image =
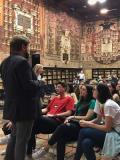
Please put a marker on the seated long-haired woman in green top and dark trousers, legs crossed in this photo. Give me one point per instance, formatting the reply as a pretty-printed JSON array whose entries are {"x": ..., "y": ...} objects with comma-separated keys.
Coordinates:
[{"x": 68, "y": 131}]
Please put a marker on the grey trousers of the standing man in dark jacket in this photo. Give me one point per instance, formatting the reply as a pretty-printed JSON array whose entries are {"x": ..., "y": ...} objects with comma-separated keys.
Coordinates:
[{"x": 17, "y": 145}]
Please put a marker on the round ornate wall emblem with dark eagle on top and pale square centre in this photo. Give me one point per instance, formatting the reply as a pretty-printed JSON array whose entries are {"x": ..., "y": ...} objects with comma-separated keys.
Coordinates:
[{"x": 106, "y": 43}]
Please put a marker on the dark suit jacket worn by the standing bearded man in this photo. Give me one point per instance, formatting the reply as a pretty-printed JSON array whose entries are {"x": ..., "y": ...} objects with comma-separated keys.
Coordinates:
[{"x": 21, "y": 87}]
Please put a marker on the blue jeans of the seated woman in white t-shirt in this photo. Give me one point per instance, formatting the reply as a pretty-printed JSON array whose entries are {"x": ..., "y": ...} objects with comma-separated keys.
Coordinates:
[{"x": 88, "y": 138}]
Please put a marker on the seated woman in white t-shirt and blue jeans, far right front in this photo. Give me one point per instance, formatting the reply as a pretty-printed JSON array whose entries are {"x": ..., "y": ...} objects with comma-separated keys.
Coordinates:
[{"x": 102, "y": 131}]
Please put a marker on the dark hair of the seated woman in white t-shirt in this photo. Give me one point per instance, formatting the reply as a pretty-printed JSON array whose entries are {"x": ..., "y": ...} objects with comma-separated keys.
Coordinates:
[{"x": 103, "y": 93}]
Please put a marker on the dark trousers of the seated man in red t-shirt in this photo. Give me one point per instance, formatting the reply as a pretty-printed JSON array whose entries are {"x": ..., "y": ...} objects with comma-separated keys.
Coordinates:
[{"x": 45, "y": 125}]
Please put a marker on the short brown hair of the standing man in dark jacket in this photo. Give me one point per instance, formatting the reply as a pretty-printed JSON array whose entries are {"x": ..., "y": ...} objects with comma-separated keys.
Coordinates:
[{"x": 17, "y": 42}]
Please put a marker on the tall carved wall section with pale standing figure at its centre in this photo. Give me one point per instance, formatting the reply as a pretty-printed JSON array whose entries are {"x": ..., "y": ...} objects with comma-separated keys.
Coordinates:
[{"x": 57, "y": 24}]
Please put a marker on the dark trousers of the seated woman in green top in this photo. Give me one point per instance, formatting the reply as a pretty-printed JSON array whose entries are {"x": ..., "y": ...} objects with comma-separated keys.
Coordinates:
[{"x": 63, "y": 134}]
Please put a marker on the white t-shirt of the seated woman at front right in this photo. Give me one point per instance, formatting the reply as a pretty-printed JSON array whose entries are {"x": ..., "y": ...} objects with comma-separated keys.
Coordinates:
[{"x": 110, "y": 108}]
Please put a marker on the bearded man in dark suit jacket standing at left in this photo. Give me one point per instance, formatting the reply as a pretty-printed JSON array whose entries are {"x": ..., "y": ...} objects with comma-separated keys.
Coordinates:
[{"x": 21, "y": 102}]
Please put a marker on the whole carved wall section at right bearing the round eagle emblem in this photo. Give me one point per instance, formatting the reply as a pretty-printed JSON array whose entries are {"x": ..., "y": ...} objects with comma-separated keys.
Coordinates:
[{"x": 102, "y": 41}]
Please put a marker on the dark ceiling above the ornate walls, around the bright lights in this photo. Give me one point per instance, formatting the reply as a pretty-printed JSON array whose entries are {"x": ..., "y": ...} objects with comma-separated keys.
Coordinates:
[{"x": 80, "y": 8}]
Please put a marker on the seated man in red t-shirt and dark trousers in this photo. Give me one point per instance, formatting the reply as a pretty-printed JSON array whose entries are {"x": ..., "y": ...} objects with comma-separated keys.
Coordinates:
[{"x": 60, "y": 107}]
